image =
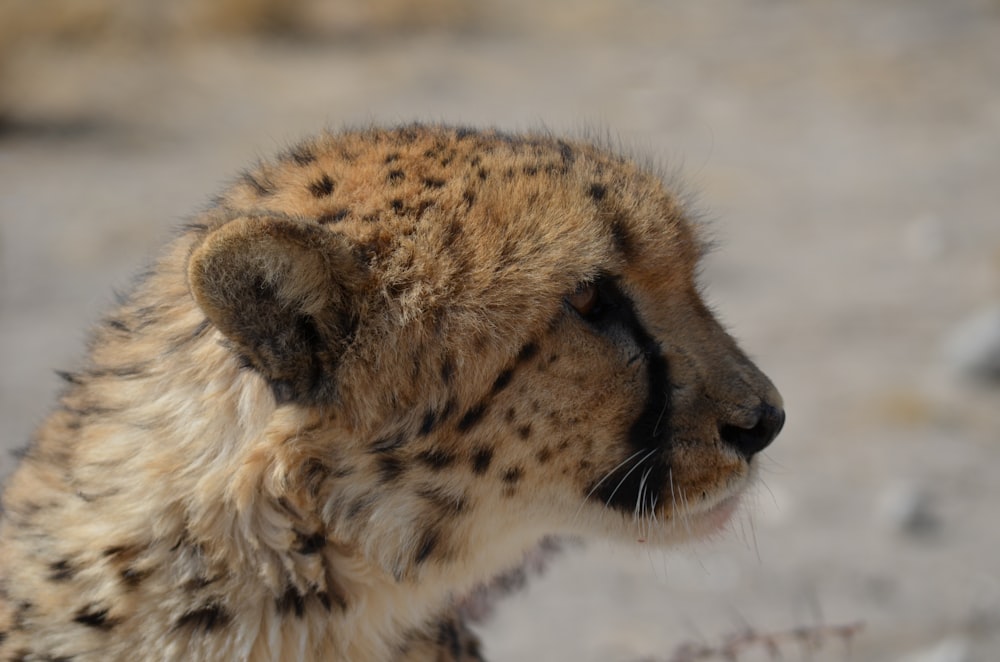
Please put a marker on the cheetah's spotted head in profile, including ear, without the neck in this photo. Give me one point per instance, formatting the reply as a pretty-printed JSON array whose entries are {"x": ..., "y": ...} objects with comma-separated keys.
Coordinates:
[{"x": 485, "y": 339}]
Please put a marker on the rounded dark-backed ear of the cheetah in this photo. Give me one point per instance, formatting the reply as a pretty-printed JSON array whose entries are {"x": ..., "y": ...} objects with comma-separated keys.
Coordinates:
[{"x": 285, "y": 293}]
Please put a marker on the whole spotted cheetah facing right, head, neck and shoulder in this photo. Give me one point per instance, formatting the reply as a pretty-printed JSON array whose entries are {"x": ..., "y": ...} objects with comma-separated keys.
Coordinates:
[{"x": 367, "y": 378}]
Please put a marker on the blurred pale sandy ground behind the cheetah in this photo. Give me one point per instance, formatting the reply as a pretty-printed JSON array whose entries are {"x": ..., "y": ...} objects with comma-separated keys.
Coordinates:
[{"x": 846, "y": 156}]
